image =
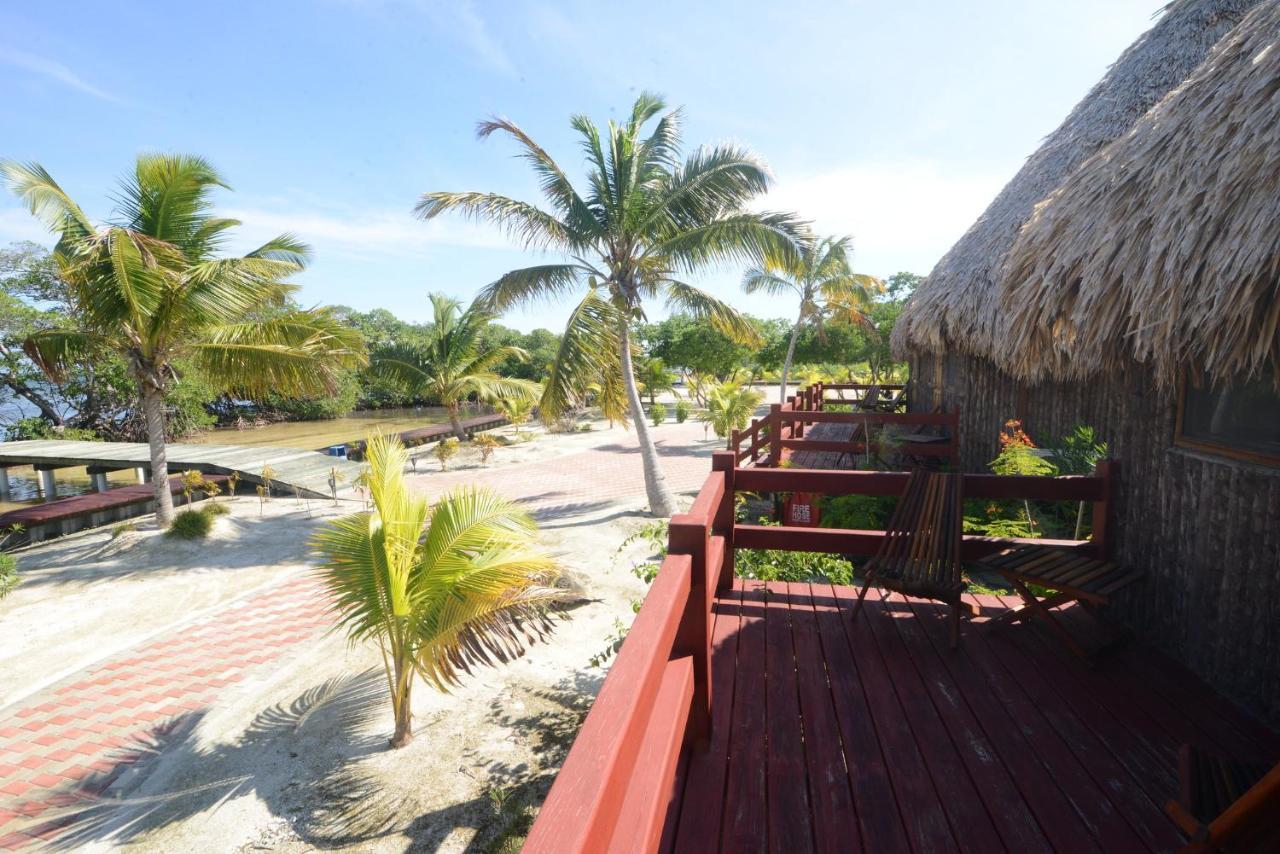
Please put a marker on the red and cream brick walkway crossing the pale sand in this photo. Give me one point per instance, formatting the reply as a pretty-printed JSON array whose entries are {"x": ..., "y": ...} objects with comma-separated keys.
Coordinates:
[{"x": 65, "y": 746}]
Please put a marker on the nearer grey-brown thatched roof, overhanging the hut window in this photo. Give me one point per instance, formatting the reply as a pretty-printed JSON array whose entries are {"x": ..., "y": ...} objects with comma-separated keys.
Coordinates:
[{"x": 1164, "y": 248}]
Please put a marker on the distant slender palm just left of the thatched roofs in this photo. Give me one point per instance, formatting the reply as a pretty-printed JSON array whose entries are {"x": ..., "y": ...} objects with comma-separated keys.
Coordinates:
[{"x": 821, "y": 277}]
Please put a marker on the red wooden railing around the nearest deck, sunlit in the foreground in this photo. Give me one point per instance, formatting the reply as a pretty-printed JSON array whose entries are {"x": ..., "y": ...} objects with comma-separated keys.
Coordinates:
[{"x": 620, "y": 778}]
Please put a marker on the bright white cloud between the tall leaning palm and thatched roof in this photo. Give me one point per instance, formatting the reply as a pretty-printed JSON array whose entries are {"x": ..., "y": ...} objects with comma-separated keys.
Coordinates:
[{"x": 903, "y": 214}]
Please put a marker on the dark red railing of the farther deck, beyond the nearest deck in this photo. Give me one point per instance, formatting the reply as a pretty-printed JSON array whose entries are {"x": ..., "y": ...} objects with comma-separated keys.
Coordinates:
[{"x": 766, "y": 441}]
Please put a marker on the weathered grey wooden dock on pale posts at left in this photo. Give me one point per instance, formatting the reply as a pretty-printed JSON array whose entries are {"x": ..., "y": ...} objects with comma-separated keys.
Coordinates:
[{"x": 308, "y": 472}]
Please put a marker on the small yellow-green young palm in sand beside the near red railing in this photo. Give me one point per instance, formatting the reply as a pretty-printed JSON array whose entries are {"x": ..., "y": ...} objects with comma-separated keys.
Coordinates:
[{"x": 467, "y": 592}]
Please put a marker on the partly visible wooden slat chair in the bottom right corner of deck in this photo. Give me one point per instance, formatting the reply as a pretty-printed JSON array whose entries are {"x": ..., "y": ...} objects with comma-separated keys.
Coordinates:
[{"x": 1227, "y": 805}]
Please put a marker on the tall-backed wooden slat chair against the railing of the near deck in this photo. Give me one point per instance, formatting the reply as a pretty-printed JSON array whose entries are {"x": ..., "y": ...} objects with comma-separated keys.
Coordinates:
[{"x": 921, "y": 552}]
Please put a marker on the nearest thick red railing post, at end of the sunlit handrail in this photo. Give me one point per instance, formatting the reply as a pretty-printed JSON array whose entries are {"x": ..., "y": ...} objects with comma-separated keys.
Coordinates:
[{"x": 688, "y": 536}]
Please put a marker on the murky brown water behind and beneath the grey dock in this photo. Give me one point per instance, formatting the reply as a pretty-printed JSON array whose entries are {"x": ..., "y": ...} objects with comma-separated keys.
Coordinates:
[{"x": 312, "y": 436}]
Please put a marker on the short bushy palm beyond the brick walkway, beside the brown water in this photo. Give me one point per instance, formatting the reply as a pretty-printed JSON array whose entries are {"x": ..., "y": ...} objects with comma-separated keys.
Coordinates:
[{"x": 450, "y": 367}]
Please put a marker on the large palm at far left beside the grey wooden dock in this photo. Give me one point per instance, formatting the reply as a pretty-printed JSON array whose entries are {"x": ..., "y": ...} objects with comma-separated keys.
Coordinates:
[{"x": 153, "y": 287}]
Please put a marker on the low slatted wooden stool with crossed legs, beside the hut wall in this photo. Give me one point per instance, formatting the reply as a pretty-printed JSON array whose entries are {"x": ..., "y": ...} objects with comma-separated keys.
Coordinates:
[{"x": 1072, "y": 576}]
